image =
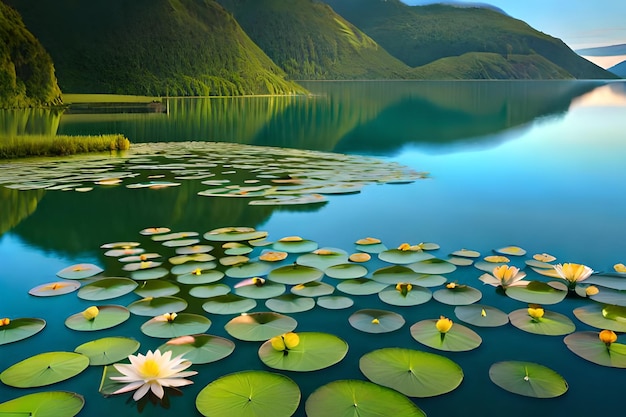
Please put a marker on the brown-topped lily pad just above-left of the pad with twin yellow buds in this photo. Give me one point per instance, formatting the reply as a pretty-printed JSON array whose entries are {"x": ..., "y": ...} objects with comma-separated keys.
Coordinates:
[{"x": 259, "y": 326}]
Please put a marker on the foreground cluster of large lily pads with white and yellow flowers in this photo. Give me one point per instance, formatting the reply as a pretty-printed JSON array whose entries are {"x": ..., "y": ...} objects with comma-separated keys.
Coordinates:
[{"x": 239, "y": 272}]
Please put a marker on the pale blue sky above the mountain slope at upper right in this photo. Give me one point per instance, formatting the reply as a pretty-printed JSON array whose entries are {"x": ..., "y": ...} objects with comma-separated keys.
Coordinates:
[{"x": 579, "y": 23}]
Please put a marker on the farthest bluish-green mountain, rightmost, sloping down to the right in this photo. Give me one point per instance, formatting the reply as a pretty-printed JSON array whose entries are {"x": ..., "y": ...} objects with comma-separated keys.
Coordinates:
[{"x": 420, "y": 35}]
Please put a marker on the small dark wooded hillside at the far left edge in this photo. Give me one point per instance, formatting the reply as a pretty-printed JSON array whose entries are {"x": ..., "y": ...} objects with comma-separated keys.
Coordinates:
[{"x": 26, "y": 71}]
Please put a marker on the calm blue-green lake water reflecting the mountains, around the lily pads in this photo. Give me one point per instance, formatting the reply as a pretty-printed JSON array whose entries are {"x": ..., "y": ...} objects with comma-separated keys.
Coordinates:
[{"x": 535, "y": 165}]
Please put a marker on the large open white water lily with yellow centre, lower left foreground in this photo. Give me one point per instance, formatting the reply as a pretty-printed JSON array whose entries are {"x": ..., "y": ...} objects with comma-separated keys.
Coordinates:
[{"x": 152, "y": 372}]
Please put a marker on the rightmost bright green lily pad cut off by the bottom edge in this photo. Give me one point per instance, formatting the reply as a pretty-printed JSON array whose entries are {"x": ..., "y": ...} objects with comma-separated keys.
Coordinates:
[{"x": 348, "y": 398}]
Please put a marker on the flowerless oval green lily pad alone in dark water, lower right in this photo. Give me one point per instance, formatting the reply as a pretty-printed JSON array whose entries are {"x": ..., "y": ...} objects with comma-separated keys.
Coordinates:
[{"x": 527, "y": 379}]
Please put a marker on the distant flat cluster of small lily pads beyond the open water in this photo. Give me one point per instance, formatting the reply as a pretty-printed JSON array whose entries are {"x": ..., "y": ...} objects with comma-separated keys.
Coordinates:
[{"x": 265, "y": 175}]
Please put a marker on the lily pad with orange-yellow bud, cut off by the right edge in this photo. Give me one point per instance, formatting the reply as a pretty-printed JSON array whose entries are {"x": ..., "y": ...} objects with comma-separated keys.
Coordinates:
[{"x": 588, "y": 346}]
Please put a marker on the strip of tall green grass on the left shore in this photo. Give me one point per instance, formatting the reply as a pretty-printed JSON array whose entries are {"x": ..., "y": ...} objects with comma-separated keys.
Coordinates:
[{"x": 43, "y": 145}]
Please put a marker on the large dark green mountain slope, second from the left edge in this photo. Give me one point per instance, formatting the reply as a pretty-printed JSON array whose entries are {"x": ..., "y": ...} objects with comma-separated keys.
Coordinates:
[{"x": 151, "y": 47}]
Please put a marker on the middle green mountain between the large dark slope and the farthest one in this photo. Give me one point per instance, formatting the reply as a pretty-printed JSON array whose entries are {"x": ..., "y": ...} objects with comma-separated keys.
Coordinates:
[{"x": 310, "y": 41}]
